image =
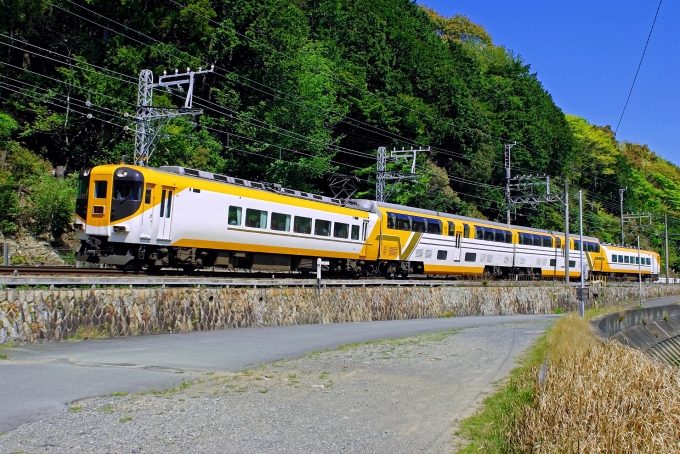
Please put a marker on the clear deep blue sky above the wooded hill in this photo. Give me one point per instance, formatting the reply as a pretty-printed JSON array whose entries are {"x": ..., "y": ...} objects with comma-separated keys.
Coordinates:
[{"x": 586, "y": 53}]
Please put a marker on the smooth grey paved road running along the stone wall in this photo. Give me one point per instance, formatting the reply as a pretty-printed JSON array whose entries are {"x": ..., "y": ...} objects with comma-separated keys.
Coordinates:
[{"x": 38, "y": 380}]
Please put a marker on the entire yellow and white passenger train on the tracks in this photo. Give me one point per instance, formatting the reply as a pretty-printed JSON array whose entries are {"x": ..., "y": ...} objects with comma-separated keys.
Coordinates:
[{"x": 150, "y": 218}]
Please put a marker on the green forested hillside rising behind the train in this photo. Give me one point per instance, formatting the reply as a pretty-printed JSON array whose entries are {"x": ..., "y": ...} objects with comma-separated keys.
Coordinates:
[{"x": 302, "y": 90}]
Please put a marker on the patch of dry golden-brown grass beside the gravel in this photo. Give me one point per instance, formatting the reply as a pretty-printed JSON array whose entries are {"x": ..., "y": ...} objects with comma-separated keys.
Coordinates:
[{"x": 598, "y": 398}]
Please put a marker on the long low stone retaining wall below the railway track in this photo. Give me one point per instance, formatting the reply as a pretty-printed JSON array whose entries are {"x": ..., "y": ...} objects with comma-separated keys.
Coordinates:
[{"x": 55, "y": 315}]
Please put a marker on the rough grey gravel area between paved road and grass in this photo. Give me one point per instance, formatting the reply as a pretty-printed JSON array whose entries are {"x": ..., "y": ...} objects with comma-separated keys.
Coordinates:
[{"x": 396, "y": 395}]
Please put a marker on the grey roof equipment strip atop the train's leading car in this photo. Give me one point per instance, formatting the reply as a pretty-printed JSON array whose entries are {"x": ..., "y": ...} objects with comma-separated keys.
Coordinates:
[{"x": 270, "y": 187}]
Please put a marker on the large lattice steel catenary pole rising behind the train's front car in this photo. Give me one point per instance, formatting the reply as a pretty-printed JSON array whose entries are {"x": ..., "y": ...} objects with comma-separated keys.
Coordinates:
[{"x": 151, "y": 119}]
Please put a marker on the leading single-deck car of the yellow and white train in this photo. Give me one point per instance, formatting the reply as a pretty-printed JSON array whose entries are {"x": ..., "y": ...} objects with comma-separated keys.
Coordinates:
[{"x": 143, "y": 217}]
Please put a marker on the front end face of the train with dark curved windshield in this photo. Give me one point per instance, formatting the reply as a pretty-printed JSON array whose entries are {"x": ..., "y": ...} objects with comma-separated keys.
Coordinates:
[{"x": 109, "y": 214}]
